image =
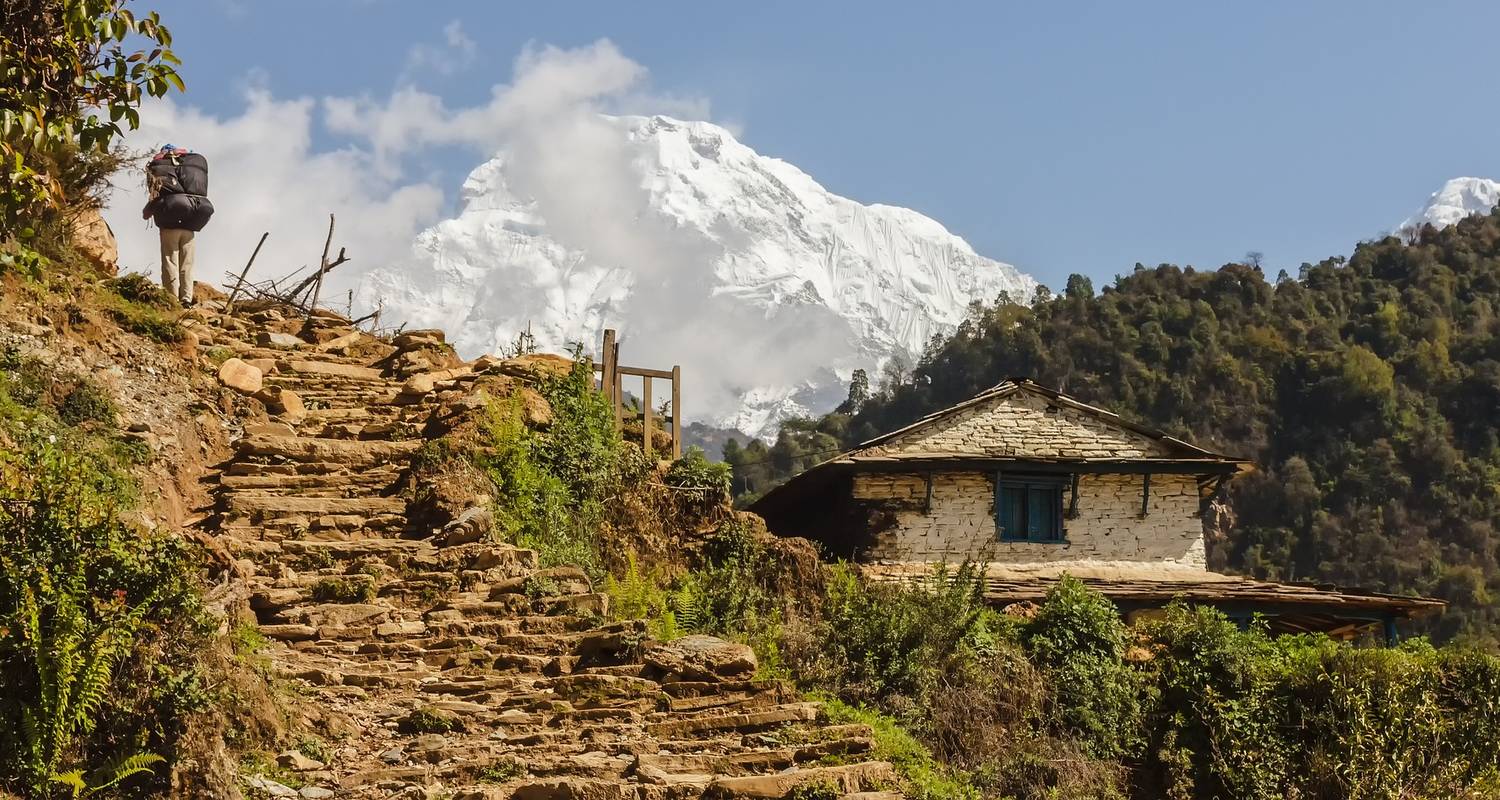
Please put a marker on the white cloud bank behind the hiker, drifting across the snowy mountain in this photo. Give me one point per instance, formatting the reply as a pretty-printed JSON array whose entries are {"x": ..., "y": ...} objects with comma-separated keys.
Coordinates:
[{"x": 284, "y": 164}]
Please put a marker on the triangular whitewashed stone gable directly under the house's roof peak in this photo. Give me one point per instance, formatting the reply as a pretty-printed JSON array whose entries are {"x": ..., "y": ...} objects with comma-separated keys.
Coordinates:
[{"x": 1025, "y": 426}]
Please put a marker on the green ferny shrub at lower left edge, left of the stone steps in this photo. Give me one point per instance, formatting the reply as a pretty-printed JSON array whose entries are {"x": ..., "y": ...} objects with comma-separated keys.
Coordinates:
[{"x": 100, "y": 625}]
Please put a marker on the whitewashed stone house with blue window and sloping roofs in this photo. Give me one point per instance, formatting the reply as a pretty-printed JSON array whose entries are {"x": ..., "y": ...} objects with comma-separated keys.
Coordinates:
[{"x": 1034, "y": 484}]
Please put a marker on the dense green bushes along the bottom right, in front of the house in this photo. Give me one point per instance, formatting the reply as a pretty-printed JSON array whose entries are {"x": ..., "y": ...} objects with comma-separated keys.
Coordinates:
[{"x": 1214, "y": 712}]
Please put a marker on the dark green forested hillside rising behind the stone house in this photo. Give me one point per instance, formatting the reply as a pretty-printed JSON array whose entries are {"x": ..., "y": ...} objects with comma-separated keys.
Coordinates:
[{"x": 1366, "y": 389}]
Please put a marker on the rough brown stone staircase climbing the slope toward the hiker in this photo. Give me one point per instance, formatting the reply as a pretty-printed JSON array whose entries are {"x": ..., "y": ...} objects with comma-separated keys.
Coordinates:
[{"x": 467, "y": 672}]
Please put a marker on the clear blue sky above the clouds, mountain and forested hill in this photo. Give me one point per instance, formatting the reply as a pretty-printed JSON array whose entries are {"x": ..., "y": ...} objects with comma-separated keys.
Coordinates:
[{"x": 1061, "y": 137}]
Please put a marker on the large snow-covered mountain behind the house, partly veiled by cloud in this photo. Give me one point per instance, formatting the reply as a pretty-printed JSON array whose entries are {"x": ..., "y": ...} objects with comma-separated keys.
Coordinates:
[{"x": 767, "y": 289}]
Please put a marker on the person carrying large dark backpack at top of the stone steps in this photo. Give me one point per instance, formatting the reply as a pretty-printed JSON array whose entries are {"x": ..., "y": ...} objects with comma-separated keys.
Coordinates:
[{"x": 178, "y": 181}]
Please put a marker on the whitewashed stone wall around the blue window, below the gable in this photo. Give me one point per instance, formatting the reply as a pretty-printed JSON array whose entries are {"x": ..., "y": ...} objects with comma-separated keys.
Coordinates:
[{"x": 1109, "y": 528}]
